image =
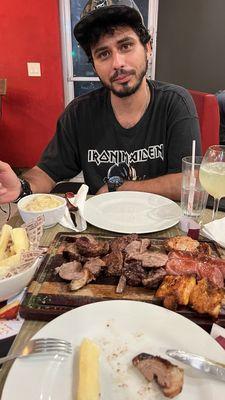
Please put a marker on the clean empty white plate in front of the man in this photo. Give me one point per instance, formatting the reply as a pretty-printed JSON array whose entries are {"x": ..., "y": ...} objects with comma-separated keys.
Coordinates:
[{"x": 131, "y": 212}]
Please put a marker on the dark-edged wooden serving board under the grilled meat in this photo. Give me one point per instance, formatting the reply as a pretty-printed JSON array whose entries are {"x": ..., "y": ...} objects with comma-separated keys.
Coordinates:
[{"x": 49, "y": 296}]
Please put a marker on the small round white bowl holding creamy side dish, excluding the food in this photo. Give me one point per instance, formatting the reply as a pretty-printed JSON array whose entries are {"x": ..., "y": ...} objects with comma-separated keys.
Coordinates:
[{"x": 52, "y": 215}]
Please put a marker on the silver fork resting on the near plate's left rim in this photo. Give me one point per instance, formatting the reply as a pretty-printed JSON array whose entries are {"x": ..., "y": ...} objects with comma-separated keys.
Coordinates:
[{"x": 43, "y": 346}]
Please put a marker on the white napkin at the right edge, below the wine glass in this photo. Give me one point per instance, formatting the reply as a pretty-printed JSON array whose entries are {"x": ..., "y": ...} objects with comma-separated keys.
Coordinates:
[{"x": 215, "y": 230}]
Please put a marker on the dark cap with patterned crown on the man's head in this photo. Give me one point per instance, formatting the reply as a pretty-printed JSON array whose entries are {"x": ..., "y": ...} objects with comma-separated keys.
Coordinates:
[{"x": 97, "y": 9}]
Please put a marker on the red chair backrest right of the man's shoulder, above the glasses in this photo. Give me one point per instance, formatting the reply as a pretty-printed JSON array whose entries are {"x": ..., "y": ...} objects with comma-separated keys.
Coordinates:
[{"x": 209, "y": 118}]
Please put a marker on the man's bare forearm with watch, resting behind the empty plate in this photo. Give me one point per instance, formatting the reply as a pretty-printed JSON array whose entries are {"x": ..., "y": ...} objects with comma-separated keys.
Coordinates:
[{"x": 166, "y": 185}]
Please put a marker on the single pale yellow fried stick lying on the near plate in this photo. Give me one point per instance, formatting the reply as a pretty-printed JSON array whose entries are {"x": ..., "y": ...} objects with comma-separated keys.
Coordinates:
[{"x": 89, "y": 381}]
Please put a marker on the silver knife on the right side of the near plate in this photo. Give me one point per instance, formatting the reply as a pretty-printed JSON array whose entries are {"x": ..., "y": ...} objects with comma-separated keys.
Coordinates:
[{"x": 201, "y": 363}]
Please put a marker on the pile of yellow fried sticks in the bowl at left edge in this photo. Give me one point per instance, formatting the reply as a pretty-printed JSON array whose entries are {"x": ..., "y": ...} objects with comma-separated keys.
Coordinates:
[{"x": 12, "y": 243}]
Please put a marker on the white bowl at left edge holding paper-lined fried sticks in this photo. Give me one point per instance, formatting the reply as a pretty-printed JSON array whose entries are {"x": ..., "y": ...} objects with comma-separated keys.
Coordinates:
[{"x": 11, "y": 286}]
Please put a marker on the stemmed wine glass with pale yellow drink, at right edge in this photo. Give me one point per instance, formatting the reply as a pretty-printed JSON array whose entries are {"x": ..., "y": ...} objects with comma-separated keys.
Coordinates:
[{"x": 212, "y": 174}]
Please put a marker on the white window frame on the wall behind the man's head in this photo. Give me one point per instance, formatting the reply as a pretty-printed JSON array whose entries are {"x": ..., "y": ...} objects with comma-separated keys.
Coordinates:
[{"x": 66, "y": 44}]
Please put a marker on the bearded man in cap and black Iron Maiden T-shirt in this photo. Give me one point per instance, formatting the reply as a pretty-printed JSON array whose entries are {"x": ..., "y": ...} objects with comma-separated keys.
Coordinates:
[{"x": 129, "y": 135}]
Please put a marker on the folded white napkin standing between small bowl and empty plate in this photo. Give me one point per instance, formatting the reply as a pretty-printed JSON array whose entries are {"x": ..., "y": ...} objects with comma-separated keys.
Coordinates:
[{"x": 78, "y": 200}]
